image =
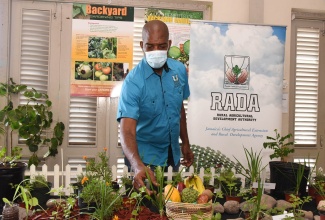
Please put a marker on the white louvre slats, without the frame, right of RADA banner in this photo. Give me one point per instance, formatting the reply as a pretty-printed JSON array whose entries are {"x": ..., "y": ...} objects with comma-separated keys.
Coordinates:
[{"x": 306, "y": 86}]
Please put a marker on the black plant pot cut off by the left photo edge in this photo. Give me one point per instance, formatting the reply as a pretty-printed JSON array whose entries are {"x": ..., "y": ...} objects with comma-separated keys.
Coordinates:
[{"x": 10, "y": 175}]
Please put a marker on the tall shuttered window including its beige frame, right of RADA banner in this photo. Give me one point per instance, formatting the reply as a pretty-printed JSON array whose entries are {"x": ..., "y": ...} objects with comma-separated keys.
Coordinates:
[{"x": 307, "y": 111}]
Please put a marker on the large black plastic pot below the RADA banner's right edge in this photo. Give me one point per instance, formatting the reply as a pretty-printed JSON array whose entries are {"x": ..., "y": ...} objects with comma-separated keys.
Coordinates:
[{"x": 283, "y": 174}]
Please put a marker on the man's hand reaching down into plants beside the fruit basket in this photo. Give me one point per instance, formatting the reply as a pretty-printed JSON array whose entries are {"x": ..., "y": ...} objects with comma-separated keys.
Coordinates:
[{"x": 140, "y": 174}]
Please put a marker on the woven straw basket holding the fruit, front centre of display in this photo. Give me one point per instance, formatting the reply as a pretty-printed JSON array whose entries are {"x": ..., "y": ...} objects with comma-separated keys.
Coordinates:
[{"x": 183, "y": 211}]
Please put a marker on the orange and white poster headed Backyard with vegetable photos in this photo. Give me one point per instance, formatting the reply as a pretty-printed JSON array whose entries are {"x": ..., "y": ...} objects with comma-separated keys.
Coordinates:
[{"x": 102, "y": 48}]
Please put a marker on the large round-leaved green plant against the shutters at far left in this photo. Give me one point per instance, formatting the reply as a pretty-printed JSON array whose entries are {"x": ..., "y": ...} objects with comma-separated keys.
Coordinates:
[{"x": 32, "y": 120}]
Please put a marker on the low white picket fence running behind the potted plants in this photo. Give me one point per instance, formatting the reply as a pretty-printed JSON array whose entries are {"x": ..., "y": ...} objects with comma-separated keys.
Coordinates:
[{"x": 68, "y": 176}]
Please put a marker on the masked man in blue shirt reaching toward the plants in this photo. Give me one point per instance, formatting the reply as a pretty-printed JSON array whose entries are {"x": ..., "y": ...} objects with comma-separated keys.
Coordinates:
[{"x": 151, "y": 111}]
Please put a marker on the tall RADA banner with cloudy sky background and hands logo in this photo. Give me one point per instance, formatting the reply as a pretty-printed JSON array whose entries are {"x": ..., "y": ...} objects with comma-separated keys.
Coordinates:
[{"x": 235, "y": 77}]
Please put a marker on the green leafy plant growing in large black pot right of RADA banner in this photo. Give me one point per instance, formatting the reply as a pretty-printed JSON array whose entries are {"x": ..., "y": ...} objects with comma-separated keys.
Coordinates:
[{"x": 280, "y": 145}]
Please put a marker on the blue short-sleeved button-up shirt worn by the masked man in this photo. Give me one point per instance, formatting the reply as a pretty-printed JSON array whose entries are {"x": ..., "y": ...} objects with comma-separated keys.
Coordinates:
[{"x": 155, "y": 102}]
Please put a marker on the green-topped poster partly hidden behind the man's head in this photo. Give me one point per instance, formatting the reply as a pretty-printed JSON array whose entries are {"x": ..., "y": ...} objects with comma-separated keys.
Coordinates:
[{"x": 178, "y": 22}]
